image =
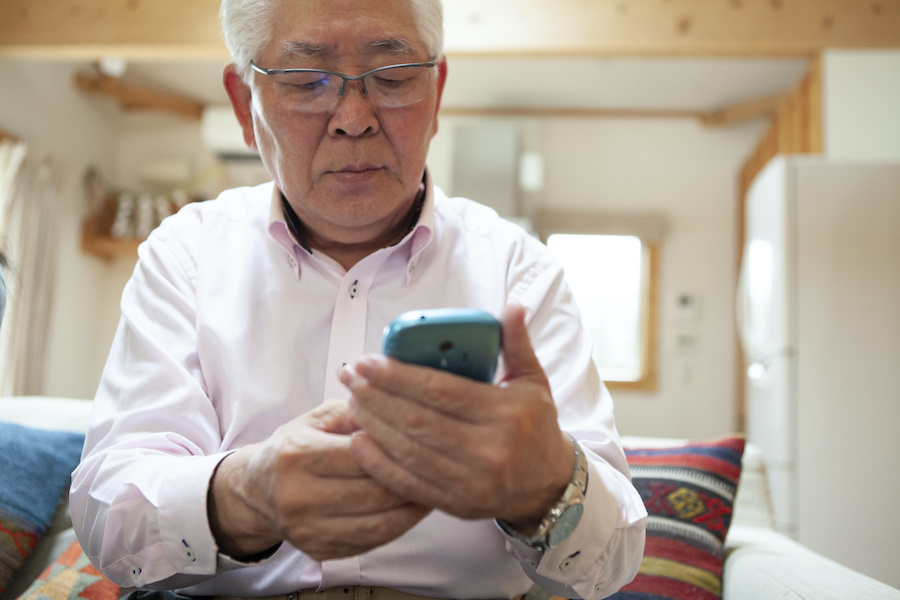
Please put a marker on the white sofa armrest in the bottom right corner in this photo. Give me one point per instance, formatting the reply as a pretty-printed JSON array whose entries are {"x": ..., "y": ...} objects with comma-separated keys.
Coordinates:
[{"x": 762, "y": 563}]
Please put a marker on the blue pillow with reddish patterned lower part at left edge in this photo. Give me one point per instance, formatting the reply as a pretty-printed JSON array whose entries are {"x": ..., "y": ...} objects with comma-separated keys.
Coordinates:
[{"x": 35, "y": 470}]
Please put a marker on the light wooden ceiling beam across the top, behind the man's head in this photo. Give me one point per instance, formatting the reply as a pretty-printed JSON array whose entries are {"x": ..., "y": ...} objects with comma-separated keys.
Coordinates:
[{"x": 180, "y": 29}]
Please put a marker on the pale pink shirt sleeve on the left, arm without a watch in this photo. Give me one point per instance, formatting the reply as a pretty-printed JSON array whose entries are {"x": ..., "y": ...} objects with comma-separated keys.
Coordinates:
[{"x": 138, "y": 497}]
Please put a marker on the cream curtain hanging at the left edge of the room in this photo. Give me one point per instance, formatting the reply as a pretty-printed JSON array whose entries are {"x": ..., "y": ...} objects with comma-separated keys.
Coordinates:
[{"x": 29, "y": 235}]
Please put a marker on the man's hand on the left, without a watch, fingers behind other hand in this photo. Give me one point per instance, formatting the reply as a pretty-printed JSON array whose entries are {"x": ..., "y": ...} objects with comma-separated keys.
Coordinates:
[{"x": 303, "y": 485}]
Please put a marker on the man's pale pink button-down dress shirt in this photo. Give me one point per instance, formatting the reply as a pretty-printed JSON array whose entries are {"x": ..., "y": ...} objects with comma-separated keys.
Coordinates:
[{"x": 229, "y": 329}]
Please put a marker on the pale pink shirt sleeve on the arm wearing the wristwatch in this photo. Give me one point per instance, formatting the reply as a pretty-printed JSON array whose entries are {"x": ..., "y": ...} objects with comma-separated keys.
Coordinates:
[{"x": 604, "y": 551}]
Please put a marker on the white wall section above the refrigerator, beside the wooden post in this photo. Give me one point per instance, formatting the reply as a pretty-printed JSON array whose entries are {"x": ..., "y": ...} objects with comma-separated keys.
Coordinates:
[{"x": 861, "y": 104}]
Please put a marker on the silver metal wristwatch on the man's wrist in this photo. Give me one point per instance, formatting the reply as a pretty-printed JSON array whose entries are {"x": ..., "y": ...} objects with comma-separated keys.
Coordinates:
[{"x": 561, "y": 519}]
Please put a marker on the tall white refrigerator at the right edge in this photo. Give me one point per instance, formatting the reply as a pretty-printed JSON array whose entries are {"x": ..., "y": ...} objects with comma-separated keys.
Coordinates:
[{"x": 819, "y": 312}]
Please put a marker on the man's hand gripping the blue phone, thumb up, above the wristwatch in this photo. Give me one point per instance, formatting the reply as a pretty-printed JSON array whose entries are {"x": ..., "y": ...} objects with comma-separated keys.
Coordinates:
[{"x": 471, "y": 449}]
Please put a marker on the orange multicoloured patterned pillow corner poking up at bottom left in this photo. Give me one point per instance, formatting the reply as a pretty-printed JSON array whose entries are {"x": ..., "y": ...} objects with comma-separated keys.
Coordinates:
[{"x": 71, "y": 577}]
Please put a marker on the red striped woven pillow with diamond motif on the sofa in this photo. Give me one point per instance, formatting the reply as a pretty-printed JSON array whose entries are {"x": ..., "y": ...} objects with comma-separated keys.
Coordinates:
[{"x": 689, "y": 493}]
